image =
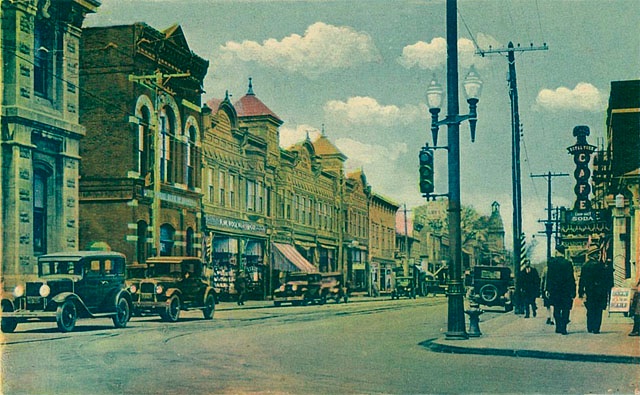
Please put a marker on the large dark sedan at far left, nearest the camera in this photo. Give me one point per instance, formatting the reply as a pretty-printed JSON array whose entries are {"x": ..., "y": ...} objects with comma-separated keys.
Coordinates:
[{"x": 71, "y": 285}]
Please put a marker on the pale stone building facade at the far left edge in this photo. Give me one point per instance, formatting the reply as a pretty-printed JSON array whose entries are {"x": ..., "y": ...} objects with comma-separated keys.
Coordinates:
[{"x": 40, "y": 154}]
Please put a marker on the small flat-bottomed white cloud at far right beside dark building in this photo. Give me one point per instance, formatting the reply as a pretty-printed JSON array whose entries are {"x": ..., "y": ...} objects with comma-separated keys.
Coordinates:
[{"x": 584, "y": 97}]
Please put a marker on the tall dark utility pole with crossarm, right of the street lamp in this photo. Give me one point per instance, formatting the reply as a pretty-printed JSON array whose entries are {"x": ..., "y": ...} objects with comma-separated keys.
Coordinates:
[{"x": 515, "y": 142}]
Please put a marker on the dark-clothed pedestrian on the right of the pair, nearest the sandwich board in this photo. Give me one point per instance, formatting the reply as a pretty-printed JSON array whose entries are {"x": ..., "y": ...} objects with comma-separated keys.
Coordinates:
[{"x": 596, "y": 280}]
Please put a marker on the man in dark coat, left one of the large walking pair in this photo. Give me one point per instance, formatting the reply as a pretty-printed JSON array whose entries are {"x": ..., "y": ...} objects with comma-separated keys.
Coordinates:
[{"x": 561, "y": 290}]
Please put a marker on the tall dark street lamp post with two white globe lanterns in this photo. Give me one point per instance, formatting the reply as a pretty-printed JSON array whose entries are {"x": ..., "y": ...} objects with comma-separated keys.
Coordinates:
[{"x": 456, "y": 328}]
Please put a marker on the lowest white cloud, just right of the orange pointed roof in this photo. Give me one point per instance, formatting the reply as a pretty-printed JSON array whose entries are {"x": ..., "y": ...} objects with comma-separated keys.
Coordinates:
[{"x": 361, "y": 154}]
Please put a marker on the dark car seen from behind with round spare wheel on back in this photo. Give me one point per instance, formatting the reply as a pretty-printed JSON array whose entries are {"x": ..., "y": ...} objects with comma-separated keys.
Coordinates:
[{"x": 491, "y": 286}]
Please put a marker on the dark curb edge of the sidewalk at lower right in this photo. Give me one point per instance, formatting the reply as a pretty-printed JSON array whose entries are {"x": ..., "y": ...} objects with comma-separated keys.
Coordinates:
[{"x": 436, "y": 346}]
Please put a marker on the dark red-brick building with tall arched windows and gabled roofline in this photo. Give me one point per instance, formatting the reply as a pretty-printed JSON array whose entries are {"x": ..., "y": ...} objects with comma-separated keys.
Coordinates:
[{"x": 140, "y": 188}]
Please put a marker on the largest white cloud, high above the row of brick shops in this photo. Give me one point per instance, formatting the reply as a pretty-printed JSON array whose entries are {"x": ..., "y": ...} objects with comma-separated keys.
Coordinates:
[{"x": 322, "y": 49}]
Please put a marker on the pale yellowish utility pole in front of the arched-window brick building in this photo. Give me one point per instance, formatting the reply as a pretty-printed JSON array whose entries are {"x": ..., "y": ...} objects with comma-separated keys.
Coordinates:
[{"x": 156, "y": 82}]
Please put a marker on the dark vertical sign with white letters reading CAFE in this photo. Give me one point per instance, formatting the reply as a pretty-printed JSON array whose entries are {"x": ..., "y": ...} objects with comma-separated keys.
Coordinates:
[{"x": 581, "y": 152}]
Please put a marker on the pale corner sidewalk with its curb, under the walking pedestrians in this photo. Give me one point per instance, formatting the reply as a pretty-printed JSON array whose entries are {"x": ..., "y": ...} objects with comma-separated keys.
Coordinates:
[{"x": 509, "y": 334}]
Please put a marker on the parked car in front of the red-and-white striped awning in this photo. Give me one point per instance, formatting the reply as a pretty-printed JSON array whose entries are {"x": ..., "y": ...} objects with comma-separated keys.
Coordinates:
[{"x": 299, "y": 288}]
